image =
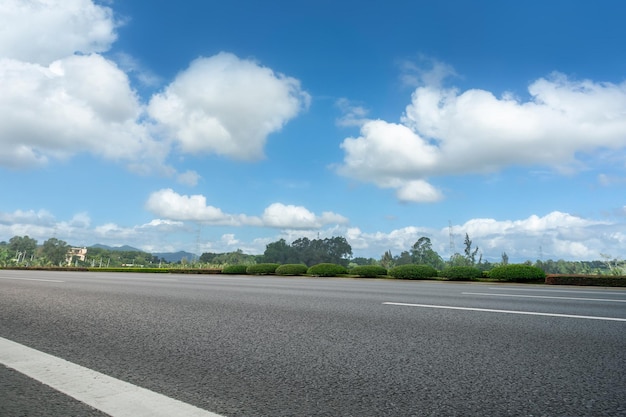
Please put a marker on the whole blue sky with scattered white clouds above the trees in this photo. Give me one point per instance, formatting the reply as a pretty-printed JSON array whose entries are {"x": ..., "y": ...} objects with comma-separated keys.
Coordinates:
[{"x": 213, "y": 126}]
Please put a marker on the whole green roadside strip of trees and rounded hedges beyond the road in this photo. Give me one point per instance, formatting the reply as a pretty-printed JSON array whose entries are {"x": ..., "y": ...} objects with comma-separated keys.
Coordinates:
[{"x": 319, "y": 257}]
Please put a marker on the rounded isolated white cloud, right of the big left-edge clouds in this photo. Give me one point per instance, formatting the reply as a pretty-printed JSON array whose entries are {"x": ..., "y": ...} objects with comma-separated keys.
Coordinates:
[{"x": 227, "y": 105}]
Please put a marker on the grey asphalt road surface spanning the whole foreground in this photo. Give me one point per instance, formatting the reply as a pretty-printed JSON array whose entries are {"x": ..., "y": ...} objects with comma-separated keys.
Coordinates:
[{"x": 271, "y": 346}]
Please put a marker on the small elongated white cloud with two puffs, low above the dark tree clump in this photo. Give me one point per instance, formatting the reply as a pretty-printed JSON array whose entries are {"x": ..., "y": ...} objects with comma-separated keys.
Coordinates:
[{"x": 168, "y": 204}]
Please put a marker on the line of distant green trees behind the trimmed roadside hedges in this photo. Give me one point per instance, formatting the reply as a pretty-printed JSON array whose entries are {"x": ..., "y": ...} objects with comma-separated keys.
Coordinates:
[{"x": 25, "y": 251}]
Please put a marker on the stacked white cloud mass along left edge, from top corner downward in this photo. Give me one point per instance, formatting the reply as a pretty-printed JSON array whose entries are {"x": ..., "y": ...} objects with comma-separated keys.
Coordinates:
[{"x": 56, "y": 103}]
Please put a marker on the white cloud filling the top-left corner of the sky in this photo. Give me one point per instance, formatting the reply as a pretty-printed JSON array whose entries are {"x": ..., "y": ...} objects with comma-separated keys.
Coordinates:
[{"x": 43, "y": 31}]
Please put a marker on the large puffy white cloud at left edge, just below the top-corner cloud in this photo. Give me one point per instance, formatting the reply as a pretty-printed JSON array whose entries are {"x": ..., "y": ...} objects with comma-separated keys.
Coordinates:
[{"x": 79, "y": 103}]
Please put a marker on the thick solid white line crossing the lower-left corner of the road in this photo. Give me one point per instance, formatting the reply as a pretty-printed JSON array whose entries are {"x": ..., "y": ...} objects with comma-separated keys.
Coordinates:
[{"x": 109, "y": 395}]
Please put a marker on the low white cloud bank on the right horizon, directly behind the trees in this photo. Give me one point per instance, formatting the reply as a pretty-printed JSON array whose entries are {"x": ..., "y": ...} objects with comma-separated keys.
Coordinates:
[{"x": 555, "y": 235}]
